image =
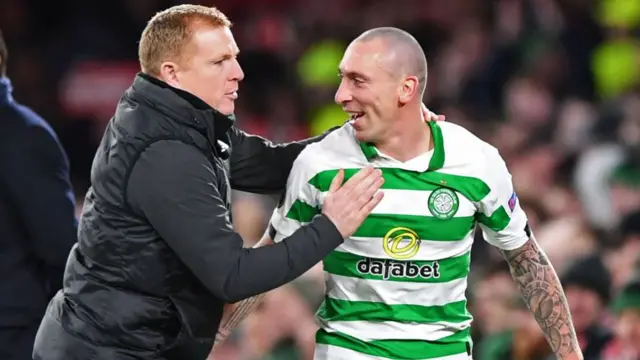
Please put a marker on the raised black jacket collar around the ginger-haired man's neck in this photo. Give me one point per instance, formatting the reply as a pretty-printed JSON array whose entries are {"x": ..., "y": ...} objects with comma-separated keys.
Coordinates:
[{"x": 182, "y": 106}]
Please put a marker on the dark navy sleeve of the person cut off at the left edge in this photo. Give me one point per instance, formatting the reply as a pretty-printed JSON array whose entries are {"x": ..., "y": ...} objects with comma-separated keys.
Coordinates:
[{"x": 35, "y": 173}]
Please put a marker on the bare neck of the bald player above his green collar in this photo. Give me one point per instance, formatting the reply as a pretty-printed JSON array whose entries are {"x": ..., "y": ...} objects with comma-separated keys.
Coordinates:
[{"x": 408, "y": 138}]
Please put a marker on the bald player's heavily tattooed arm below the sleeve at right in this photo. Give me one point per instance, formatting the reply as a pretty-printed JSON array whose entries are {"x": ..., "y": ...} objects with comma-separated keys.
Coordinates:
[{"x": 542, "y": 292}]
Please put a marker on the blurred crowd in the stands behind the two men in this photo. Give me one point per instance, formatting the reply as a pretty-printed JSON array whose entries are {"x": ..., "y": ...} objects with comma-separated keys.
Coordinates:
[{"x": 554, "y": 84}]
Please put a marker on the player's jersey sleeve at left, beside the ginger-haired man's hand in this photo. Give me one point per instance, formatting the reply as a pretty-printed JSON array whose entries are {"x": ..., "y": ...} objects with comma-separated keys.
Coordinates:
[{"x": 299, "y": 204}]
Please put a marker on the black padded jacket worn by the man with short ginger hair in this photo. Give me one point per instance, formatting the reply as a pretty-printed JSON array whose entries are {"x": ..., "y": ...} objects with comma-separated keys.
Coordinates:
[{"x": 157, "y": 256}]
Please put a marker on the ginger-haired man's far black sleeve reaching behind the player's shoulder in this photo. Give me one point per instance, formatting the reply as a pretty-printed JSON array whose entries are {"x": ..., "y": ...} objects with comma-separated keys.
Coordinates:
[{"x": 259, "y": 166}]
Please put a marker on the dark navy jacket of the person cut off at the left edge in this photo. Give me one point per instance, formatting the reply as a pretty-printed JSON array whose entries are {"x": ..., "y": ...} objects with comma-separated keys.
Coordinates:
[{"x": 37, "y": 213}]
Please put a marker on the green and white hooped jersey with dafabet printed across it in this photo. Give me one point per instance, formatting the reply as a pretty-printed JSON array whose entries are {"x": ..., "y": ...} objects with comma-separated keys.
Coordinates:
[{"x": 396, "y": 288}]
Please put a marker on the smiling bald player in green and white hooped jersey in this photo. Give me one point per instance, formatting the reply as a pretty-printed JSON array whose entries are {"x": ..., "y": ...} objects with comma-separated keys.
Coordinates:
[{"x": 396, "y": 288}]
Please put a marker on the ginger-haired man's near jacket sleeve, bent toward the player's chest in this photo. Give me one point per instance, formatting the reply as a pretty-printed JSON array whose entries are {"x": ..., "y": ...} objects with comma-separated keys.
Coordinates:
[{"x": 175, "y": 187}]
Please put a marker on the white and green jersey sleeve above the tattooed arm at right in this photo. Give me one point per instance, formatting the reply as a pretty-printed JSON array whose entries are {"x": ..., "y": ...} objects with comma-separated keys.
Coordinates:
[{"x": 502, "y": 220}]
